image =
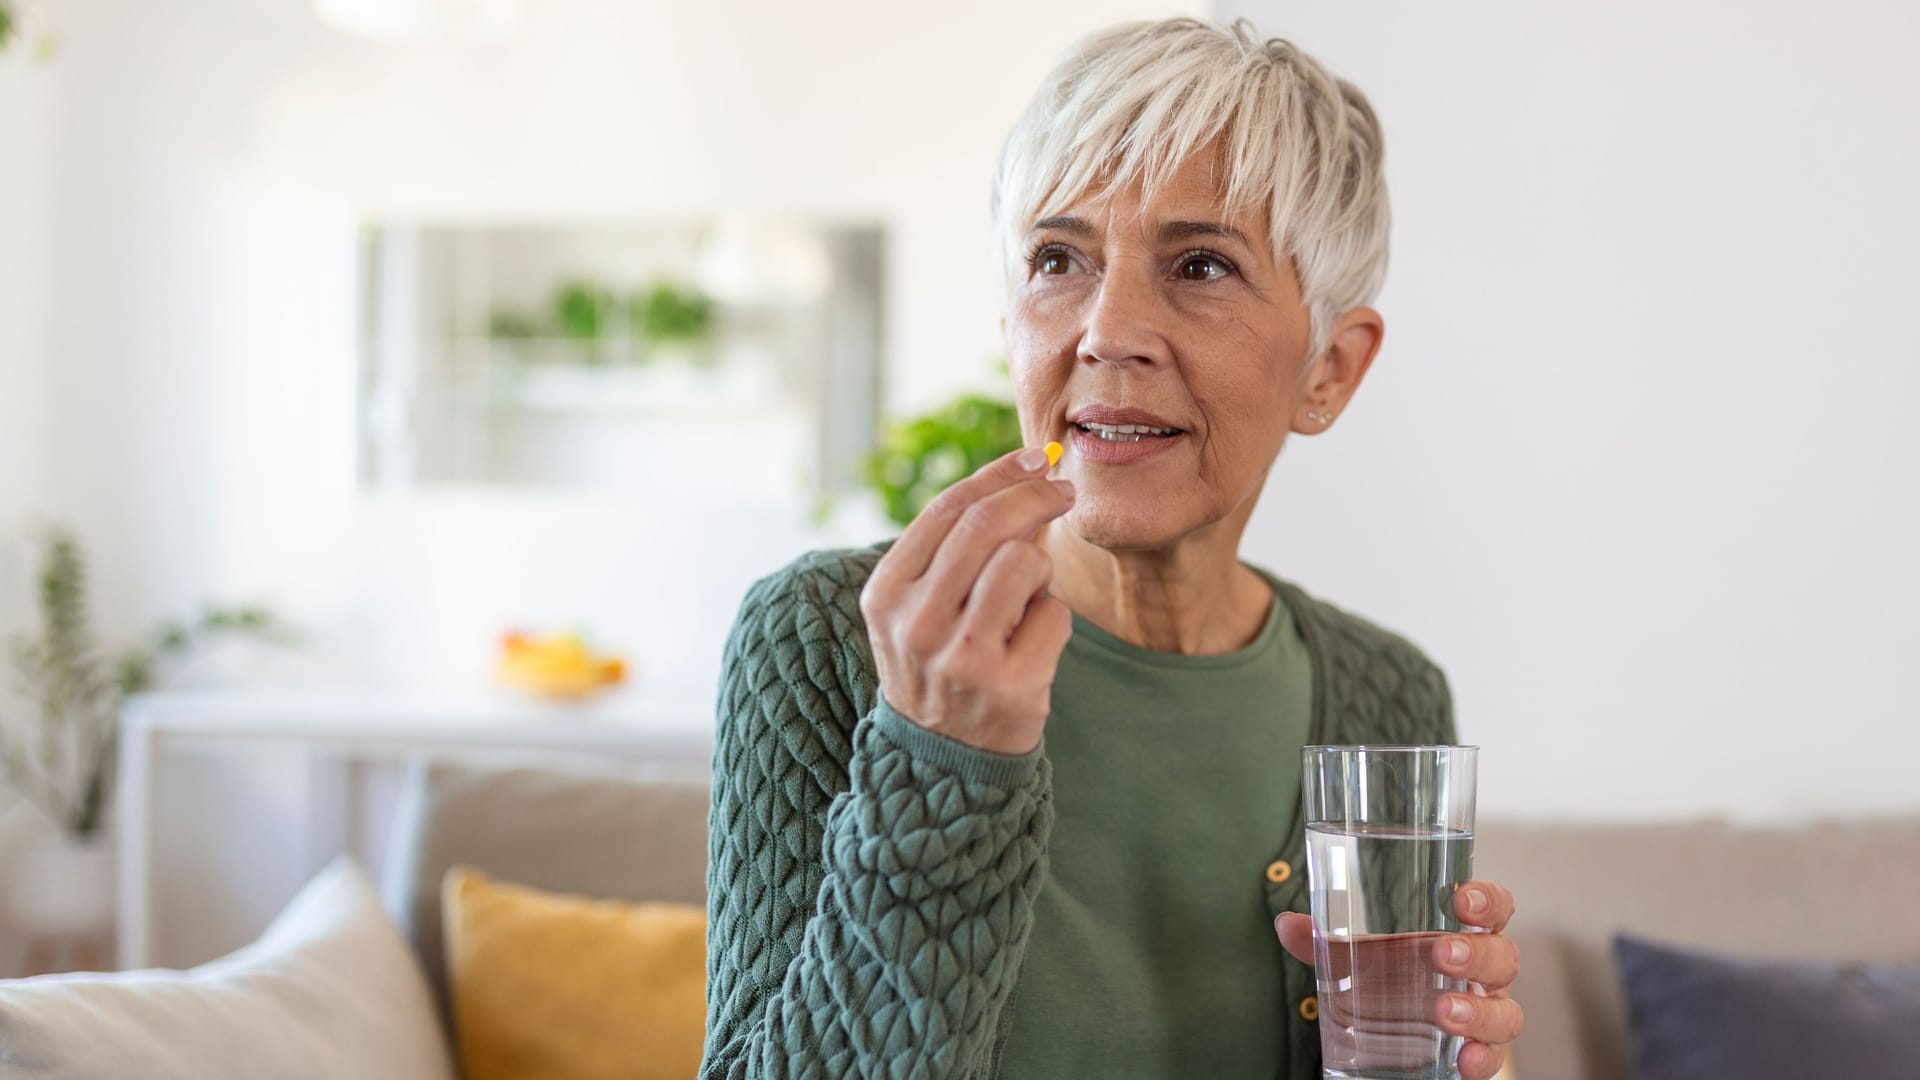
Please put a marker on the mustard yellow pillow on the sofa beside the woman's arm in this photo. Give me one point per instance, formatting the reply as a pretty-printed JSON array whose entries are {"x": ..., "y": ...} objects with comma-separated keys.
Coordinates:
[{"x": 567, "y": 989}]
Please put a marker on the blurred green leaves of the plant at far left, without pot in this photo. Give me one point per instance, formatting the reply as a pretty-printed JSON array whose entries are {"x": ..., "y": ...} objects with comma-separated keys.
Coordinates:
[{"x": 60, "y": 758}]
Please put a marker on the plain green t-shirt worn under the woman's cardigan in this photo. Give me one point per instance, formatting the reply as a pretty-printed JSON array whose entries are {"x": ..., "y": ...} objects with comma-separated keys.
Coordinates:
[{"x": 1153, "y": 948}]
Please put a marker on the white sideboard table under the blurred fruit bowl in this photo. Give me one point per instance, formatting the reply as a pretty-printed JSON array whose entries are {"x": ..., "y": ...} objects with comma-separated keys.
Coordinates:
[{"x": 229, "y": 802}]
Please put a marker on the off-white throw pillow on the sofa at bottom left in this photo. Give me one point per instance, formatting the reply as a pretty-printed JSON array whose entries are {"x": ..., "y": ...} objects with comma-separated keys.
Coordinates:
[{"x": 327, "y": 993}]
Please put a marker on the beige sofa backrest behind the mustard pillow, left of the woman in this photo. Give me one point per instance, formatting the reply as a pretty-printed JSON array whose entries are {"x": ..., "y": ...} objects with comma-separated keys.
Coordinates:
[{"x": 602, "y": 835}]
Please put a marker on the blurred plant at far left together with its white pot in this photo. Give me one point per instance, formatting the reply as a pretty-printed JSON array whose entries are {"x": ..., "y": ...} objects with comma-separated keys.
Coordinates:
[{"x": 60, "y": 754}]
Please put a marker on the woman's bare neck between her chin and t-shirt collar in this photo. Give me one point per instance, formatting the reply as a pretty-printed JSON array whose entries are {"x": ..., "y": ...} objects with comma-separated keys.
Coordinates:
[{"x": 1191, "y": 597}]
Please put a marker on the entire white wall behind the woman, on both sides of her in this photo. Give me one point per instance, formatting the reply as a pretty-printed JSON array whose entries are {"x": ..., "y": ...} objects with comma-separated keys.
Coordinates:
[{"x": 1629, "y": 464}]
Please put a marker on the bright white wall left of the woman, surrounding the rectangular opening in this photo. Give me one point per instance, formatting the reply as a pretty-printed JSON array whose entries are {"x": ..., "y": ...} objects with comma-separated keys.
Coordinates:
[{"x": 212, "y": 164}]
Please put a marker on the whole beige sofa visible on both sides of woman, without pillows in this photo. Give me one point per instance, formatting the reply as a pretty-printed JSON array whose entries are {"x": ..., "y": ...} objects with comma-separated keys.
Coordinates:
[{"x": 1831, "y": 891}]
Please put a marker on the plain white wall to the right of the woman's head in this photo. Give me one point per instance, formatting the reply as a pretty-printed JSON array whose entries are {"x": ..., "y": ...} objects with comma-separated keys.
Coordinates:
[{"x": 1637, "y": 462}]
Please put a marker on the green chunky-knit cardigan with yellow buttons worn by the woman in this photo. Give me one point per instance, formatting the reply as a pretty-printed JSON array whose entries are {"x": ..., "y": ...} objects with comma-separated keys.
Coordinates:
[{"x": 871, "y": 883}]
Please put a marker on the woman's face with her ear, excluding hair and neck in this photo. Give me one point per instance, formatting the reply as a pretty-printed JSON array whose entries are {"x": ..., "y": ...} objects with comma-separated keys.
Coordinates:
[{"x": 1166, "y": 316}]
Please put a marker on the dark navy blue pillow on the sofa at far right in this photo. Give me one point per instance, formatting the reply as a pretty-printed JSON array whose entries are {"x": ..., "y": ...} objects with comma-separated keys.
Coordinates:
[{"x": 1710, "y": 1018}]
